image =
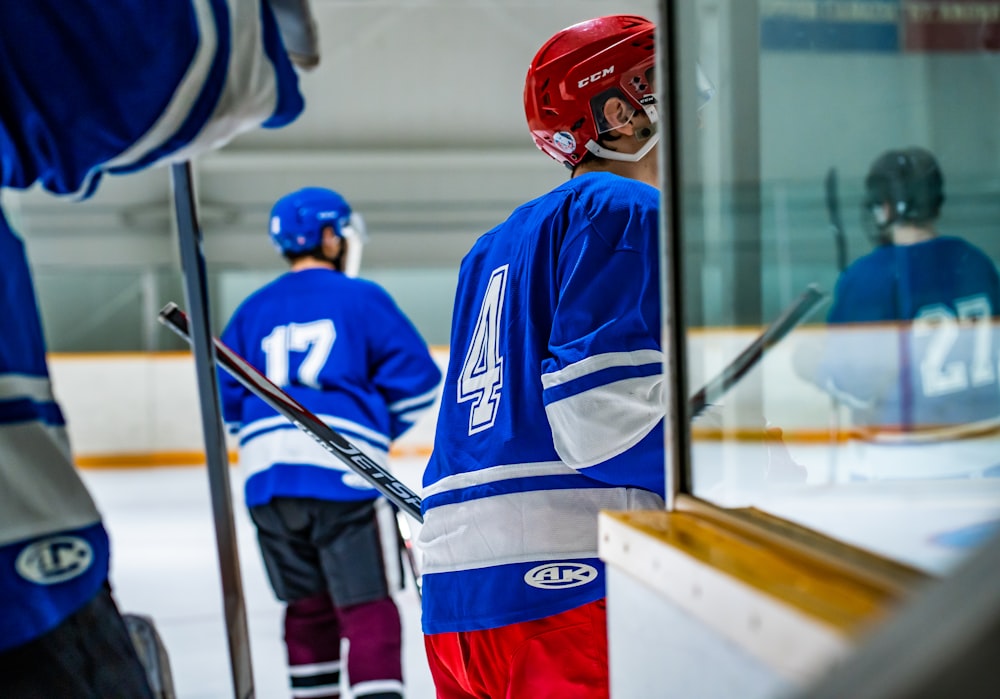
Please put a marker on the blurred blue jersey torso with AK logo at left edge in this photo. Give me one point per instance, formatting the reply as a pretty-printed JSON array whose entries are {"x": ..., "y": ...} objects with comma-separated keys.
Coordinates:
[{"x": 53, "y": 548}]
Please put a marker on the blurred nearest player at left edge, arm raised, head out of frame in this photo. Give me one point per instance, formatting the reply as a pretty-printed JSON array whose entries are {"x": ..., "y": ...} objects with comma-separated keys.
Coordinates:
[{"x": 89, "y": 88}]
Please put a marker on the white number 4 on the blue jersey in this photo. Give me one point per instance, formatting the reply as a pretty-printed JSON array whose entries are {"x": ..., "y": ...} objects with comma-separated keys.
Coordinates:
[{"x": 482, "y": 371}]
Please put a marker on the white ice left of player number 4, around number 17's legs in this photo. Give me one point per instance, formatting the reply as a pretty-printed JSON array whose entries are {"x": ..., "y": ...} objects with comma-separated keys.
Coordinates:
[{"x": 164, "y": 564}]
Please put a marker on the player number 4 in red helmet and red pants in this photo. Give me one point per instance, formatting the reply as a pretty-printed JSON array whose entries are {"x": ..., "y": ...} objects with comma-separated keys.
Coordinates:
[{"x": 552, "y": 404}]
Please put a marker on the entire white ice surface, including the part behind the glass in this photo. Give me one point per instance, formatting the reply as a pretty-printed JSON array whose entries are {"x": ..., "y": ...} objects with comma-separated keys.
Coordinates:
[{"x": 164, "y": 561}]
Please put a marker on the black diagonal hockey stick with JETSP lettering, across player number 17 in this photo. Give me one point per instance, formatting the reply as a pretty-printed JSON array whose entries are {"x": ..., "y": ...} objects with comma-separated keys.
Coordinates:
[{"x": 258, "y": 384}]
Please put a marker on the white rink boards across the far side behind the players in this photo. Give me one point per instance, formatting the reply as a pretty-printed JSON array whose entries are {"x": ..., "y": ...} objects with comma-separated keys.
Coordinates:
[{"x": 120, "y": 406}]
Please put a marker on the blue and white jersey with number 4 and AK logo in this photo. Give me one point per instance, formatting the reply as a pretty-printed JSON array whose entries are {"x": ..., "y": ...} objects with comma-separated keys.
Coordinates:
[{"x": 551, "y": 409}]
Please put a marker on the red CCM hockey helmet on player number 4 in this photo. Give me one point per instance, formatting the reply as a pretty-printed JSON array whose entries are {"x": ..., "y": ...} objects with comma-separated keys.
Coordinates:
[{"x": 575, "y": 73}]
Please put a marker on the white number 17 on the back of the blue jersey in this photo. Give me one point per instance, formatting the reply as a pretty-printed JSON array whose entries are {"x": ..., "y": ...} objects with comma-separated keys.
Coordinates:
[{"x": 315, "y": 339}]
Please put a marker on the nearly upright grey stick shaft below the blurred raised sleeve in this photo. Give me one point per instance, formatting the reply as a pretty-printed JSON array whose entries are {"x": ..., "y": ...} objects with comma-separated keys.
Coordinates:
[{"x": 217, "y": 458}]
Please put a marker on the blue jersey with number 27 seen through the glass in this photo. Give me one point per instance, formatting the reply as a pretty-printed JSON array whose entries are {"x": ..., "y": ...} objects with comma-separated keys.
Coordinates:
[{"x": 913, "y": 338}]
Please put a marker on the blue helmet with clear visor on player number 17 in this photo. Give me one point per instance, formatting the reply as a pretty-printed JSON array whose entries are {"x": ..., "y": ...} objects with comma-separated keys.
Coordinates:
[{"x": 298, "y": 219}]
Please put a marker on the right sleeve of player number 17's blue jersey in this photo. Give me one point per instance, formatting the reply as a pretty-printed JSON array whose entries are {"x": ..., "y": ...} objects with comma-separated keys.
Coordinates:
[{"x": 403, "y": 370}]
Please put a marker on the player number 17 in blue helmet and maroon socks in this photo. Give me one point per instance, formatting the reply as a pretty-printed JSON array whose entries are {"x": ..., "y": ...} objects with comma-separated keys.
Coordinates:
[{"x": 342, "y": 348}]
